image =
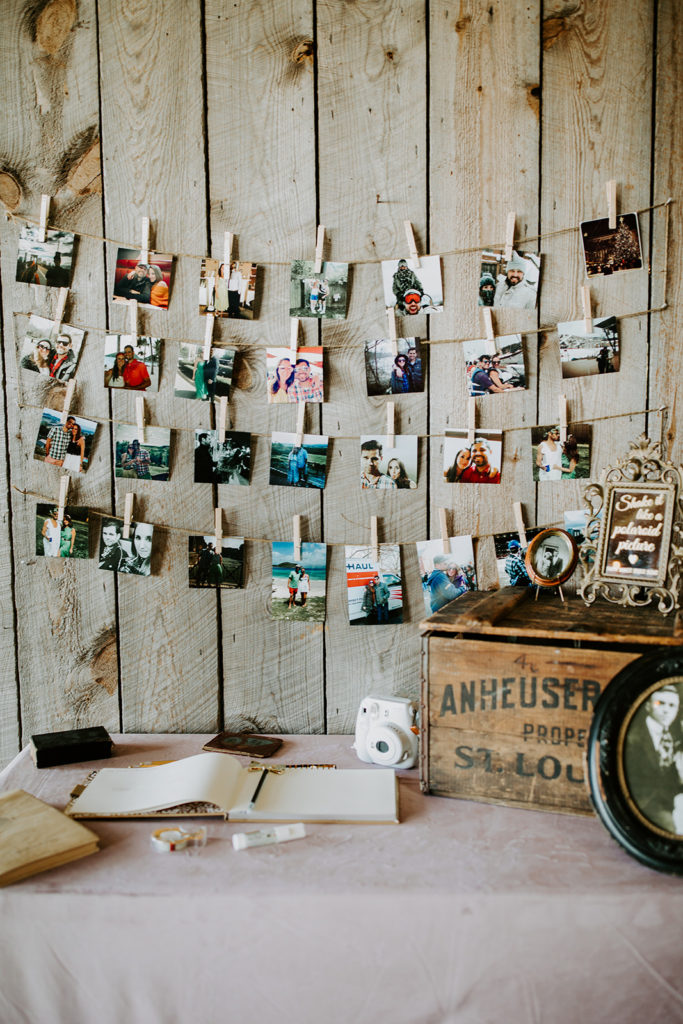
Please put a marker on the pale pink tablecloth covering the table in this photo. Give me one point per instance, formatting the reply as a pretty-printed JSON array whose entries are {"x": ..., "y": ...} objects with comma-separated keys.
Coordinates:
[{"x": 462, "y": 914}]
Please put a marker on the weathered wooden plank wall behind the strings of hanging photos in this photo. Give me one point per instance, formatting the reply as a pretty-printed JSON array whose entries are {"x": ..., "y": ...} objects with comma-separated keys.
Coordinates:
[{"x": 266, "y": 120}]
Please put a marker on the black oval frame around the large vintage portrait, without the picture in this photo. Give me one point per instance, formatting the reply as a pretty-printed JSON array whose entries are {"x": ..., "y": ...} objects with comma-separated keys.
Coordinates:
[{"x": 615, "y": 711}]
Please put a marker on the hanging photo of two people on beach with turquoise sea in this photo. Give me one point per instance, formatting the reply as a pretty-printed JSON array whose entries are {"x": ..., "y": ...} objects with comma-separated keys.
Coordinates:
[{"x": 298, "y": 584}]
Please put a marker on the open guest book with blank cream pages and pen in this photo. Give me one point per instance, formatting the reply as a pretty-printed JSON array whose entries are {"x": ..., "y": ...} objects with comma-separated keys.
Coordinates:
[{"x": 210, "y": 785}]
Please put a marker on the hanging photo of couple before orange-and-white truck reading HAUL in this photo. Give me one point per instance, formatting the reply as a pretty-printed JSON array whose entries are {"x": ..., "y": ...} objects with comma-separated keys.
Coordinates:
[{"x": 375, "y": 590}]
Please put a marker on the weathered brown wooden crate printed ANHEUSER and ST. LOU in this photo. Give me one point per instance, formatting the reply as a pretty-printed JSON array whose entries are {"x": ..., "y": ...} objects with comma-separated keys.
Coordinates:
[{"x": 508, "y": 689}]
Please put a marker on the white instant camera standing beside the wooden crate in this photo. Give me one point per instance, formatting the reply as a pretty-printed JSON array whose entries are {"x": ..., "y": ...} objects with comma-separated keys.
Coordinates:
[{"x": 387, "y": 732}]
